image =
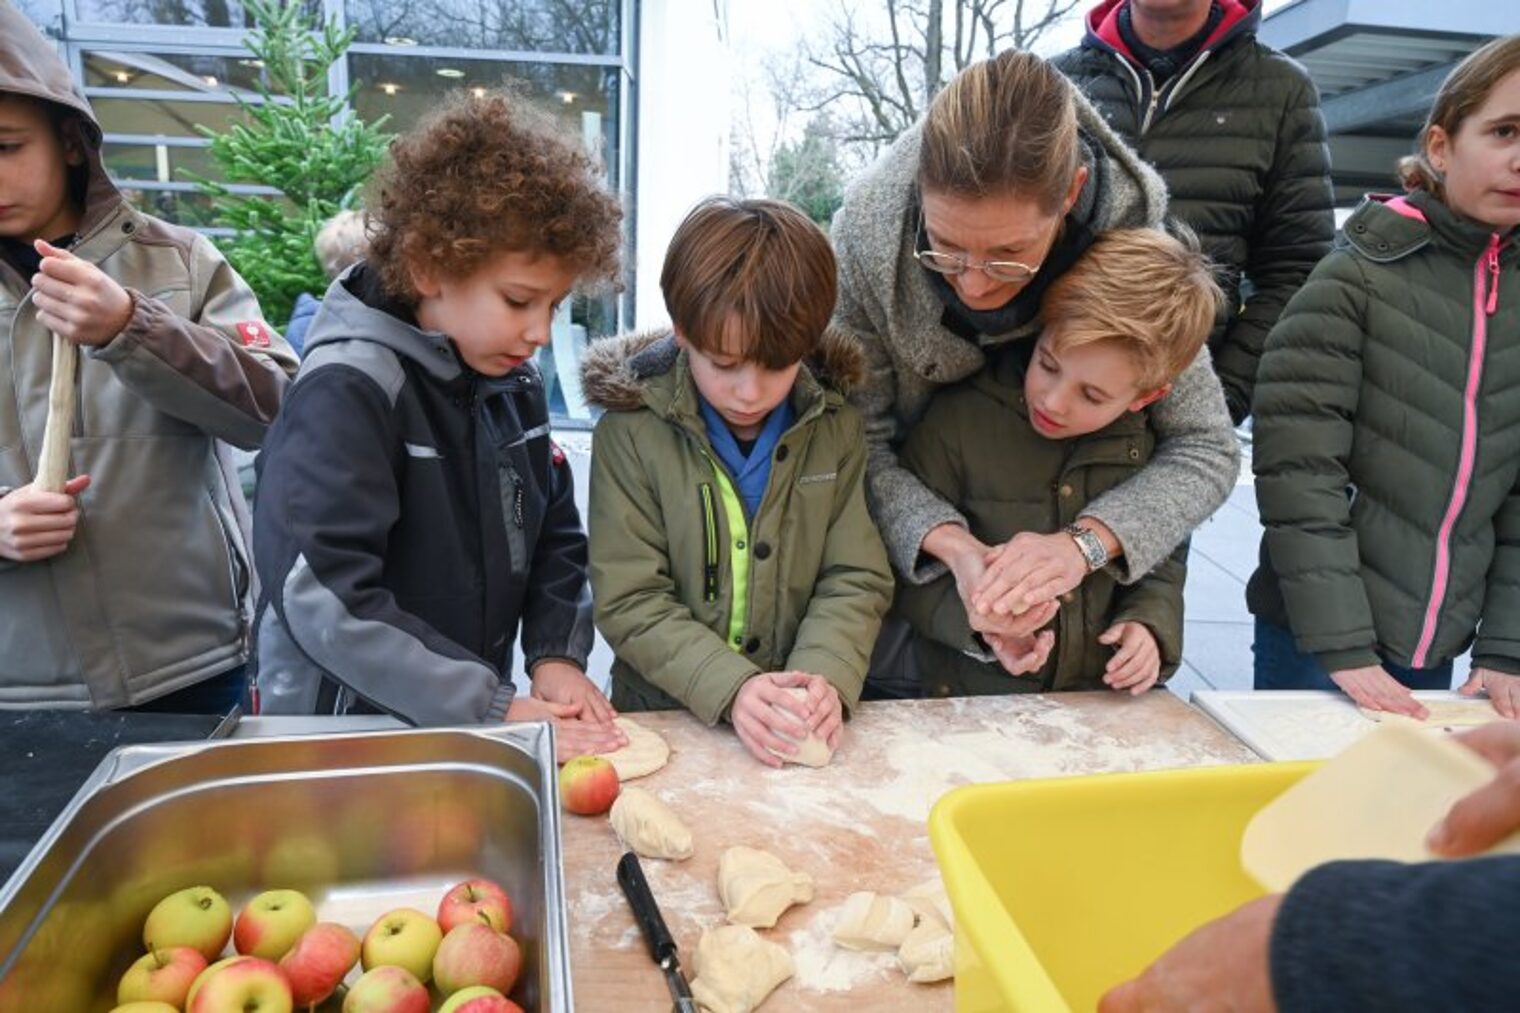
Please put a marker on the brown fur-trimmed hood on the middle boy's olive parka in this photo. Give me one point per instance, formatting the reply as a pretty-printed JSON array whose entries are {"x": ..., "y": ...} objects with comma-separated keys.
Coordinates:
[{"x": 616, "y": 372}]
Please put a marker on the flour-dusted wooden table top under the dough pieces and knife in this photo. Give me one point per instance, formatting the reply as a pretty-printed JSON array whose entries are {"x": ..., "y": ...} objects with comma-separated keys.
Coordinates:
[{"x": 860, "y": 824}]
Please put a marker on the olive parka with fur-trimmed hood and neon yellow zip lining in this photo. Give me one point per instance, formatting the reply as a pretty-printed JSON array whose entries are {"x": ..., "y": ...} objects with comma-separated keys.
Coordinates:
[{"x": 694, "y": 597}]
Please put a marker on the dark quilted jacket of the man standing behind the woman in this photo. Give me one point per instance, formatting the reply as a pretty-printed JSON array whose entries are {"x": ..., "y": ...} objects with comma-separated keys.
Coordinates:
[{"x": 1241, "y": 142}]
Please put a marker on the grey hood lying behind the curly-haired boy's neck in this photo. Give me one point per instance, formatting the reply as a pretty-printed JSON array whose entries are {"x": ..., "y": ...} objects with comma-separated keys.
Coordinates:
[{"x": 358, "y": 310}]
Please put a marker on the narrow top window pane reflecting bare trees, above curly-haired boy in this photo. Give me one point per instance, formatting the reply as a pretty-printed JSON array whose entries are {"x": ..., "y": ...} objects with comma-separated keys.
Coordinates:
[{"x": 548, "y": 27}]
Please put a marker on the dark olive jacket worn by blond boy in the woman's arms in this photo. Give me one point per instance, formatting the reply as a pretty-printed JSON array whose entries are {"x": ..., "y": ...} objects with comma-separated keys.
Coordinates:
[{"x": 977, "y": 449}]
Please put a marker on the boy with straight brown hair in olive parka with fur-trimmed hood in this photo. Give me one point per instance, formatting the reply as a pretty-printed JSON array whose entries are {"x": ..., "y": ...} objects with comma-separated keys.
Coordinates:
[{"x": 735, "y": 568}]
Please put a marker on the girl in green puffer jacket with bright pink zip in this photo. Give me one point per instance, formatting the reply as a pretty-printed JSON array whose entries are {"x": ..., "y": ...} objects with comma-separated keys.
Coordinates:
[{"x": 1389, "y": 431}]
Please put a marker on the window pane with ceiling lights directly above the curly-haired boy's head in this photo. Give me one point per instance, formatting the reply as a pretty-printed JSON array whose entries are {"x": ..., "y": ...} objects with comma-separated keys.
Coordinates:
[{"x": 584, "y": 100}]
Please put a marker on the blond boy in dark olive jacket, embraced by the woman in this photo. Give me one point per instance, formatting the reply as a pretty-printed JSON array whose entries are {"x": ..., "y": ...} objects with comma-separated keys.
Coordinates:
[{"x": 1042, "y": 431}]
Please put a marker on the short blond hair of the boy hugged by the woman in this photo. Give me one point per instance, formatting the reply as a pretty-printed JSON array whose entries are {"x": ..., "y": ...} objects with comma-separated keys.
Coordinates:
[{"x": 1148, "y": 293}]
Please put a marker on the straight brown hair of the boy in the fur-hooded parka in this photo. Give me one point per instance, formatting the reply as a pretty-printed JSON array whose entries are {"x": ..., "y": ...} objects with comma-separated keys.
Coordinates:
[{"x": 761, "y": 268}]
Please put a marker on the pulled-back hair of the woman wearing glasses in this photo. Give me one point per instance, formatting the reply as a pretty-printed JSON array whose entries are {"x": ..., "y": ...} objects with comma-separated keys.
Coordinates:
[{"x": 1005, "y": 125}]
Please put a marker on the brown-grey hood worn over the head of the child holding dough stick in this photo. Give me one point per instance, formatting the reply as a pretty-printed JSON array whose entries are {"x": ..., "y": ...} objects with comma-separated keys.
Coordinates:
[{"x": 30, "y": 66}]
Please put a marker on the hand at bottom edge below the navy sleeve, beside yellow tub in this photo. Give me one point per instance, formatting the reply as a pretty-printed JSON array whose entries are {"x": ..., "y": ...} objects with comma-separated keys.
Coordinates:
[{"x": 1221, "y": 967}]
